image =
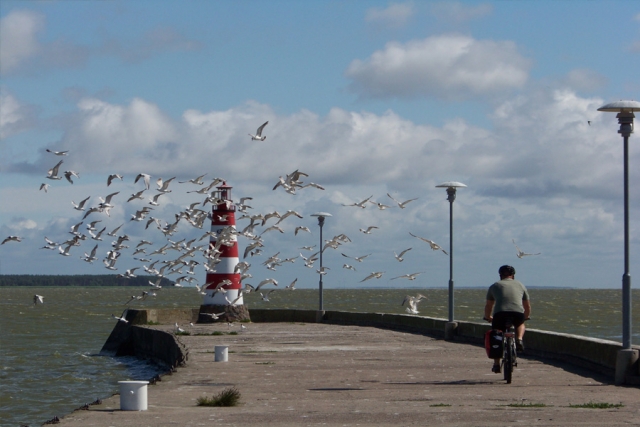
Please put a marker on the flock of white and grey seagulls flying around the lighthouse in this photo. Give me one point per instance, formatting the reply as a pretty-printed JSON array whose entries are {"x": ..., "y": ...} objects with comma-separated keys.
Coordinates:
[{"x": 198, "y": 215}]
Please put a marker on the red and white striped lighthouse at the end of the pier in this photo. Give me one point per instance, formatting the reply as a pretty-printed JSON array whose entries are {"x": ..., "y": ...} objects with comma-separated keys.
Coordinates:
[{"x": 222, "y": 218}]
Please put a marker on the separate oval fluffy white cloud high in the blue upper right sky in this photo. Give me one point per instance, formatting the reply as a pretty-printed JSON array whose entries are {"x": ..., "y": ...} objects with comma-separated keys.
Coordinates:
[{"x": 447, "y": 66}]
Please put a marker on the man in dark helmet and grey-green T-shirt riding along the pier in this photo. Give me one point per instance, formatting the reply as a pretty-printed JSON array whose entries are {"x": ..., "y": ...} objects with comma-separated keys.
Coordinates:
[{"x": 507, "y": 299}]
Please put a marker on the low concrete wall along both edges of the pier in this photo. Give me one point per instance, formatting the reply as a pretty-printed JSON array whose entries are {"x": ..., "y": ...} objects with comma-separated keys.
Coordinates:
[{"x": 591, "y": 353}]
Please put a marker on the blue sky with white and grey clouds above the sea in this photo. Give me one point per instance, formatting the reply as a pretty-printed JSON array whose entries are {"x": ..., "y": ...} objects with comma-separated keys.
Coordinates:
[{"x": 367, "y": 98}]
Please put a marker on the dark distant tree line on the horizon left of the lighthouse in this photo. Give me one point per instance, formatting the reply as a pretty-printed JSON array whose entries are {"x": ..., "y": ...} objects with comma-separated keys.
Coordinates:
[{"x": 78, "y": 280}]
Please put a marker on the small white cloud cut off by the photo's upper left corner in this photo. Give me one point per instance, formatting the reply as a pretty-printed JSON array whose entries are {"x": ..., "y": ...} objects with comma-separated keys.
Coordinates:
[{"x": 18, "y": 32}]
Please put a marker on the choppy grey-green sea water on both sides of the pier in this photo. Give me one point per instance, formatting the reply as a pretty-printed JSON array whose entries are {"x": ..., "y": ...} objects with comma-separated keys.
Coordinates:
[{"x": 50, "y": 361}]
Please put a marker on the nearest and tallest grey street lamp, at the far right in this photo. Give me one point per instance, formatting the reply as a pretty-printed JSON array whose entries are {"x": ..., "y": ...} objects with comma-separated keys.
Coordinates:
[{"x": 625, "y": 117}]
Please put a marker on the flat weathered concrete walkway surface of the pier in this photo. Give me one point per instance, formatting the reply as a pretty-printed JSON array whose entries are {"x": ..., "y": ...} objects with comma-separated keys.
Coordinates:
[{"x": 314, "y": 374}]
